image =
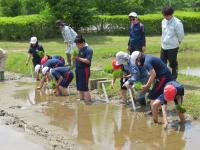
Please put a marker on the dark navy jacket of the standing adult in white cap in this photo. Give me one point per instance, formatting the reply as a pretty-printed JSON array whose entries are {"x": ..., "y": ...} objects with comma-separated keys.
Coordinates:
[{"x": 137, "y": 36}]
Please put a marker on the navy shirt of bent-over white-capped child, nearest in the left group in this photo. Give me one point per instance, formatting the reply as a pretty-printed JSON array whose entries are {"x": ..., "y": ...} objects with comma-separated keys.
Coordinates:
[{"x": 61, "y": 71}]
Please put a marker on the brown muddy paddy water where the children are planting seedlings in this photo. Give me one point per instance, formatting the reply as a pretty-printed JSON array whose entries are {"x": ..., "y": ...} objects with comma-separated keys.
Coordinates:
[{"x": 99, "y": 125}]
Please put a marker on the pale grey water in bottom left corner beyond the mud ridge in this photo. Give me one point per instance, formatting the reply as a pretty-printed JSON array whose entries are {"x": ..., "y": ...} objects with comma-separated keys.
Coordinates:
[{"x": 13, "y": 139}]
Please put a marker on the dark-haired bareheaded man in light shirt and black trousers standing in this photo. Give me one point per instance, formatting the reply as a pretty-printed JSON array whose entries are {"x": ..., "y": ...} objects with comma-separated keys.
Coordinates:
[{"x": 172, "y": 36}]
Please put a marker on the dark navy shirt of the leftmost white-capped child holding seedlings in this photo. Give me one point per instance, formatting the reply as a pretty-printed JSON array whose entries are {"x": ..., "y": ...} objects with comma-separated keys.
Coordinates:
[{"x": 34, "y": 52}]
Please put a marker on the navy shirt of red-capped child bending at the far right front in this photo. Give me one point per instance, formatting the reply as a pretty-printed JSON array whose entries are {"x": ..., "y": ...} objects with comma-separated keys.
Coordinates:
[{"x": 179, "y": 89}]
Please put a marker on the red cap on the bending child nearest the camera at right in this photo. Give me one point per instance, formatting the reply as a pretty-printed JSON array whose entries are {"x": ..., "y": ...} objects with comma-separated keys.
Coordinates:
[{"x": 169, "y": 92}]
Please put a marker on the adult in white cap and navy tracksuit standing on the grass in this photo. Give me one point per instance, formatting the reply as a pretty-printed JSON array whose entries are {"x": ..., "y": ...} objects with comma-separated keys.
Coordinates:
[{"x": 137, "y": 40}]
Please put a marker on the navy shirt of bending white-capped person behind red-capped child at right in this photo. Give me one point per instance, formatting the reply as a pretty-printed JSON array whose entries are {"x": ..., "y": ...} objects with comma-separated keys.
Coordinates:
[{"x": 157, "y": 64}]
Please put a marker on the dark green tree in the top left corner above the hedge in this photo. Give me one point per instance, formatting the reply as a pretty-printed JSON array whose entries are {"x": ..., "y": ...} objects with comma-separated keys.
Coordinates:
[{"x": 11, "y": 7}]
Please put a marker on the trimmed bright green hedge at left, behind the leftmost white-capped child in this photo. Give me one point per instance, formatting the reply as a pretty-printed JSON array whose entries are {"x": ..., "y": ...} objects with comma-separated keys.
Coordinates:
[{"x": 23, "y": 27}]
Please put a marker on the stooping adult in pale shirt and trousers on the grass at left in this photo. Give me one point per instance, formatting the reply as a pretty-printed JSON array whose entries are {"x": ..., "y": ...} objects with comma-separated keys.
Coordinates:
[{"x": 69, "y": 36}]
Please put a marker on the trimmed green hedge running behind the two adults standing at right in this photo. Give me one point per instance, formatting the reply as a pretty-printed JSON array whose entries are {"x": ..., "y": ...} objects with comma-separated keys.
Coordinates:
[{"x": 119, "y": 24}]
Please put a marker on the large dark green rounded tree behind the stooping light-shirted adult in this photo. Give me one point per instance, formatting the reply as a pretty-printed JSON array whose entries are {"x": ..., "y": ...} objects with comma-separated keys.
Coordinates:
[{"x": 77, "y": 13}]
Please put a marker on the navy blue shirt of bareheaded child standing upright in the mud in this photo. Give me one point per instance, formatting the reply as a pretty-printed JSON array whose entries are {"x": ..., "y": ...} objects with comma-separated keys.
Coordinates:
[{"x": 87, "y": 53}]
